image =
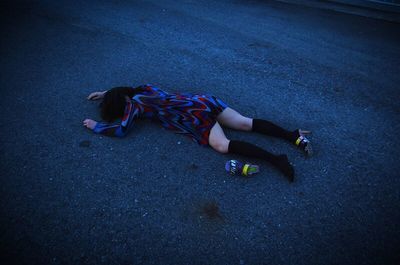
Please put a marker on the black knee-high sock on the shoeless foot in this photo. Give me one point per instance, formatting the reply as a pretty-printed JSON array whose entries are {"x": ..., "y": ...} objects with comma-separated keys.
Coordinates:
[{"x": 250, "y": 150}]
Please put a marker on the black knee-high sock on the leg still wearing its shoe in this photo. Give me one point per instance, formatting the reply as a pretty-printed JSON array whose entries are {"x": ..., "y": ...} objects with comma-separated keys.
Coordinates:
[{"x": 268, "y": 128}]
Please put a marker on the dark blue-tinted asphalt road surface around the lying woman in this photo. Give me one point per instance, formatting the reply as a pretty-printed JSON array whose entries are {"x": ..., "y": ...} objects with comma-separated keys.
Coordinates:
[{"x": 69, "y": 196}]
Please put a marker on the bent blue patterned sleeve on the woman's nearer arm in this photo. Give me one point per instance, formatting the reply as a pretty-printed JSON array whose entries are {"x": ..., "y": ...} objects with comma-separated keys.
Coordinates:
[{"x": 119, "y": 130}]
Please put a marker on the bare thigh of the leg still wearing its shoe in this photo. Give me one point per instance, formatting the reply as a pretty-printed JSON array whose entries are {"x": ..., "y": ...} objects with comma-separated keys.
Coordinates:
[{"x": 234, "y": 120}]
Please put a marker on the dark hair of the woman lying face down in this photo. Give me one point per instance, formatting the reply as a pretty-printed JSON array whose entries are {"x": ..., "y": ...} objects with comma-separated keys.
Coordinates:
[{"x": 114, "y": 102}]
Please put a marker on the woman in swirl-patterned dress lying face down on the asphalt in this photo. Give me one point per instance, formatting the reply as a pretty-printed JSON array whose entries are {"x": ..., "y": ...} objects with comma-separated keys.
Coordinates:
[{"x": 200, "y": 117}]
